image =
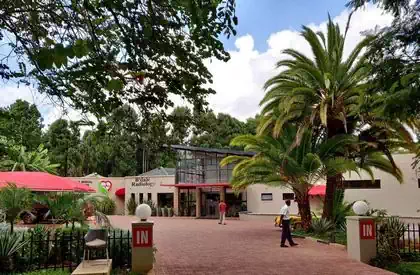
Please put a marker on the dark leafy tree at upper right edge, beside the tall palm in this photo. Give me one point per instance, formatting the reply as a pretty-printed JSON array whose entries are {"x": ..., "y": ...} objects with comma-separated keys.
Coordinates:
[{"x": 394, "y": 56}]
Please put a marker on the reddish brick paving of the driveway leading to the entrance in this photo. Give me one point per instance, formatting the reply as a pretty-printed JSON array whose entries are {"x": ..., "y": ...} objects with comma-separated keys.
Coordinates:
[{"x": 190, "y": 246}]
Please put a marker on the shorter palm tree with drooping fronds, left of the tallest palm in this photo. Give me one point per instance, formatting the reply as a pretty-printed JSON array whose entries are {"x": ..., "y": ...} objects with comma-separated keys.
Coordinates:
[{"x": 298, "y": 169}]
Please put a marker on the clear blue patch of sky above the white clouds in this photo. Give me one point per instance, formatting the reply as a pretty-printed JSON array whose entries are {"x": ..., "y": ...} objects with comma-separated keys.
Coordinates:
[{"x": 260, "y": 18}]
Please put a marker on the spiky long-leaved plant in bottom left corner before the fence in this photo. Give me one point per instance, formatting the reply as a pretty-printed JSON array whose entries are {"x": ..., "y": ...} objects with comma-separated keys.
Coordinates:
[{"x": 10, "y": 244}]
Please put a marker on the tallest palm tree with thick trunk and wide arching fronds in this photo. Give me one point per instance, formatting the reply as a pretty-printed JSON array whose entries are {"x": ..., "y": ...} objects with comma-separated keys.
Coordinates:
[{"x": 328, "y": 93}]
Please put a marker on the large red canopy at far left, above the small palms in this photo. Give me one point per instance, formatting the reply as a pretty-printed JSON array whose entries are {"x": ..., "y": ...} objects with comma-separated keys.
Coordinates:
[{"x": 40, "y": 181}]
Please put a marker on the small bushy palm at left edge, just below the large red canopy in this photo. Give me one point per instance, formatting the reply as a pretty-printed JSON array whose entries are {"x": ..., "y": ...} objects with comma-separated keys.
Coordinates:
[{"x": 13, "y": 201}]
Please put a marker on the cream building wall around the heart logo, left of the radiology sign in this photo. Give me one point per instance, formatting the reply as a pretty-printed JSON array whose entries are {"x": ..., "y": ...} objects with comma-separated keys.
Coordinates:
[{"x": 117, "y": 183}]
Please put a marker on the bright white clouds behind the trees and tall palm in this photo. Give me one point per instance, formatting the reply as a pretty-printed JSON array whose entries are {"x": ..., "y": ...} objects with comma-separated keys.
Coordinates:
[{"x": 238, "y": 82}]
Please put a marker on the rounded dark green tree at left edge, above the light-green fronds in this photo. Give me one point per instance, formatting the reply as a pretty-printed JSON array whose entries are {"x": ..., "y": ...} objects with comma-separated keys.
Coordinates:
[{"x": 22, "y": 123}]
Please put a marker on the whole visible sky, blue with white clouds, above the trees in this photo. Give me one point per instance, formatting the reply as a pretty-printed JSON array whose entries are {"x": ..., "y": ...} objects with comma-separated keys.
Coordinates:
[{"x": 266, "y": 27}]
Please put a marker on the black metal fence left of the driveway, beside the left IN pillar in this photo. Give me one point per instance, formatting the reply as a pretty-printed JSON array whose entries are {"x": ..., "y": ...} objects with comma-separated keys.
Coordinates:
[{"x": 64, "y": 250}]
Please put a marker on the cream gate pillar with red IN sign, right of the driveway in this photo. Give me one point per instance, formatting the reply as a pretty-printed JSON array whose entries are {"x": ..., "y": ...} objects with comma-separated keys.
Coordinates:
[{"x": 361, "y": 238}]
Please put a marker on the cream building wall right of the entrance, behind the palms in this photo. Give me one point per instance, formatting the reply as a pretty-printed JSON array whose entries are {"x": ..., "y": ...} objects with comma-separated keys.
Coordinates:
[{"x": 398, "y": 199}]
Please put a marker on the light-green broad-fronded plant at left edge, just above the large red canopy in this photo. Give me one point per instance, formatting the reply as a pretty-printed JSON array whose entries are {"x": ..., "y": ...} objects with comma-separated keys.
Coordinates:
[{"x": 18, "y": 159}]
